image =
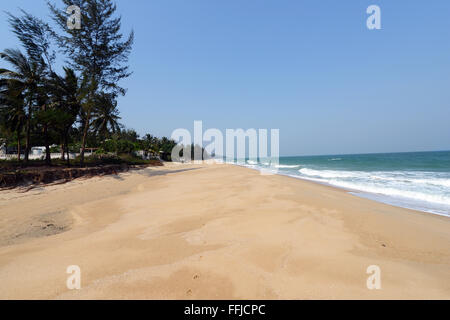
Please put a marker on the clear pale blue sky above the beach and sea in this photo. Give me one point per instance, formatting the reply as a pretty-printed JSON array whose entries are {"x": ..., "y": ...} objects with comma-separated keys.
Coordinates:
[{"x": 310, "y": 68}]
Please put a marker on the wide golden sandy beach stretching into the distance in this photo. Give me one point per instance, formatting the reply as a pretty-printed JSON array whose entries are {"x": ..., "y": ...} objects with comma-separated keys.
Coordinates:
[{"x": 215, "y": 232}]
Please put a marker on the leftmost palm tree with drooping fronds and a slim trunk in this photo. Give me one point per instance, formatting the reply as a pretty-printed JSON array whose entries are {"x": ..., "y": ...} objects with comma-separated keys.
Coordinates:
[{"x": 25, "y": 77}]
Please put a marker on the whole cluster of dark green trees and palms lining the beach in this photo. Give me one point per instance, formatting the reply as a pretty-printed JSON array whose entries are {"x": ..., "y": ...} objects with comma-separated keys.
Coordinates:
[{"x": 77, "y": 108}]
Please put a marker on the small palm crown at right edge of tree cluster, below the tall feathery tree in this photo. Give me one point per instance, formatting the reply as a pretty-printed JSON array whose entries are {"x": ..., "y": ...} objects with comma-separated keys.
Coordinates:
[{"x": 105, "y": 116}]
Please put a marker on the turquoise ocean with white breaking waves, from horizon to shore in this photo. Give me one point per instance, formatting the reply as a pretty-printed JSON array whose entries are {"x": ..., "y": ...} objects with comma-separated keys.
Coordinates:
[{"x": 414, "y": 180}]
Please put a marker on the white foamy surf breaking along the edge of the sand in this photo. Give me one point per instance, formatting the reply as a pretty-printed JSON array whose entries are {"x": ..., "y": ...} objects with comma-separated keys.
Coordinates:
[{"x": 420, "y": 190}]
